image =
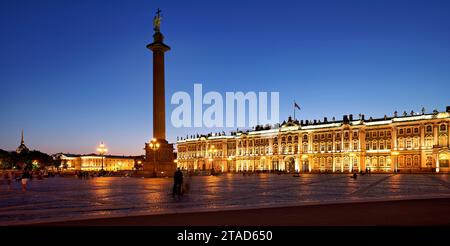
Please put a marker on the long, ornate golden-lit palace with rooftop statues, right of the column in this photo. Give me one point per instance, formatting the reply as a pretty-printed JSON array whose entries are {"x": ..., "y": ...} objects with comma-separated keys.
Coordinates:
[{"x": 401, "y": 143}]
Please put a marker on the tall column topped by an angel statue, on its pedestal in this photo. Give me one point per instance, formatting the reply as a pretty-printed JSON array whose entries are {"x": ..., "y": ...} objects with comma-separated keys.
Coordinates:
[{"x": 159, "y": 153}]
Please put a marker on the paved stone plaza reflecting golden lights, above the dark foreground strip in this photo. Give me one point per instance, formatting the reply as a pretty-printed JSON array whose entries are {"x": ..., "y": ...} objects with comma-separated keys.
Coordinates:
[{"x": 59, "y": 199}]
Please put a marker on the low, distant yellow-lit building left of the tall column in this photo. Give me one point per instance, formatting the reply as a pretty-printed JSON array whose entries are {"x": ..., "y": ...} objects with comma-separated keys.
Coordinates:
[{"x": 93, "y": 162}]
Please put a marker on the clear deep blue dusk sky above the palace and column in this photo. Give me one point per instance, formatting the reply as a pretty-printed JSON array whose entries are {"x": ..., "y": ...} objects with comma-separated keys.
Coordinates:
[{"x": 76, "y": 72}]
